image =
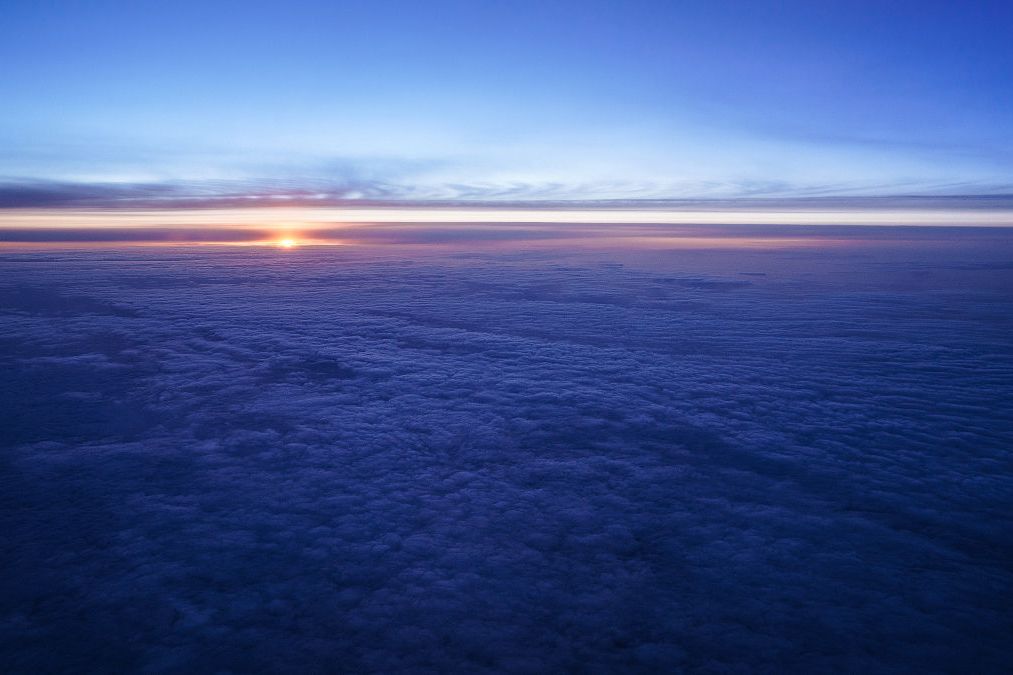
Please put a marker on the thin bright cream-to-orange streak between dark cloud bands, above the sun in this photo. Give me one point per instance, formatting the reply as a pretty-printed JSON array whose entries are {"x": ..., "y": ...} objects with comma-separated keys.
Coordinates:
[{"x": 24, "y": 224}]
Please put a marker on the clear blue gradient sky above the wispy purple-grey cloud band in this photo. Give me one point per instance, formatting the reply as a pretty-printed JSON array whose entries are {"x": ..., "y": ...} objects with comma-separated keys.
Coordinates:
[{"x": 520, "y": 101}]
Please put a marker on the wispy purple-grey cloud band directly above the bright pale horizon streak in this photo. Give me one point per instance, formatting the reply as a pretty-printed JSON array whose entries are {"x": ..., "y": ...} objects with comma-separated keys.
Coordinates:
[{"x": 359, "y": 191}]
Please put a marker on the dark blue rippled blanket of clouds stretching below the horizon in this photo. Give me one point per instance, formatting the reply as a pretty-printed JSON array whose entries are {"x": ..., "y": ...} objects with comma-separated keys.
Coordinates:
[{"x": 525, "y": 459}]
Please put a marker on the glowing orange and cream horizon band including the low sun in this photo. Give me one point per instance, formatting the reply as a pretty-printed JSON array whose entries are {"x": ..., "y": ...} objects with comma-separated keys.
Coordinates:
[{"x": 446, "y": 230}]
